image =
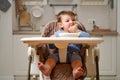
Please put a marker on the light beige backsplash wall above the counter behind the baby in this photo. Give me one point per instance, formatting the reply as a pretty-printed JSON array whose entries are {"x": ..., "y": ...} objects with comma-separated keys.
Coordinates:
[{"x": 104, "y": 16}]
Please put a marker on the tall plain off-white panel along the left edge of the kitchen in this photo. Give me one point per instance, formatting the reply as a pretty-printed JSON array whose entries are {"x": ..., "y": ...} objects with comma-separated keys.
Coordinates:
[{"x": 6, "y": 54}]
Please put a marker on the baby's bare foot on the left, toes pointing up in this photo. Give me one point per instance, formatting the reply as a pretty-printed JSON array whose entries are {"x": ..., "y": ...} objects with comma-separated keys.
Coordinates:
[{"x": 45, "y": 69}]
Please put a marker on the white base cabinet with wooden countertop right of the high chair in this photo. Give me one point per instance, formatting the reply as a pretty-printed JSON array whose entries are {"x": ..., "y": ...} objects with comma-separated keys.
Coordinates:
[{"x": 108, "y": 52}]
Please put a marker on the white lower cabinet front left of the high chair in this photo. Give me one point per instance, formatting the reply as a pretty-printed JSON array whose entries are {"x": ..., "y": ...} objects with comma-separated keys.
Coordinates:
[{"x": 20, "y": 57}]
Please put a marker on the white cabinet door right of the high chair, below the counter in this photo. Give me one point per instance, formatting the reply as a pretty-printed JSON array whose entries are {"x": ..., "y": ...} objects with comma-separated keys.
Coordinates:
[{"x": 108, "y": 56}]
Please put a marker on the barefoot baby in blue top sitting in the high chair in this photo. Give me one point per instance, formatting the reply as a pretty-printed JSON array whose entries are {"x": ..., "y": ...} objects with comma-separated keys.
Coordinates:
[{"x": 66, "y": 22}]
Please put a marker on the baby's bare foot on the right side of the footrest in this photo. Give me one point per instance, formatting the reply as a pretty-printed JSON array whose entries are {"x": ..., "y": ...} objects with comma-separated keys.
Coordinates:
[{"x": 77, "y": 72}]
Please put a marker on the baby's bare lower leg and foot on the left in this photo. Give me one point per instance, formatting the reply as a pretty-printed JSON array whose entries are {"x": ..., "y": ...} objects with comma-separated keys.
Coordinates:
[{"x": 48, "y": 66}]
